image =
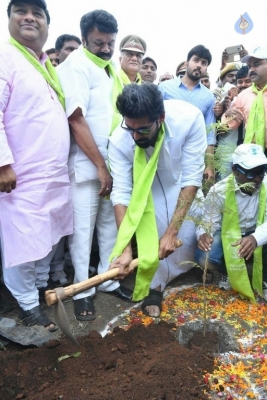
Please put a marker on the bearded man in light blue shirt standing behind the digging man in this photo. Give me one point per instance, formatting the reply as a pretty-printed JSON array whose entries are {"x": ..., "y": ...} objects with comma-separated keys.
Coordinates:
[{"x": 189, "y": 88}]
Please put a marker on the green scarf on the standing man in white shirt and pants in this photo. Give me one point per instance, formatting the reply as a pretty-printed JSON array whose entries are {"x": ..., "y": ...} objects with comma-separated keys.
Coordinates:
[{"x": 117, "y": 86}]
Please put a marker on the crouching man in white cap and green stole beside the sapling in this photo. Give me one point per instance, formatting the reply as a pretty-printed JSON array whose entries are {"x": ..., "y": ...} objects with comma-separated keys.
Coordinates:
[{"x": 234, "y": 224}]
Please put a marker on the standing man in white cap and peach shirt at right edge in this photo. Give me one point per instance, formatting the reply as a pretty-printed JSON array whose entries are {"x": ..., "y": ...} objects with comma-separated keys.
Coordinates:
[{"x": 251, "y": 104}]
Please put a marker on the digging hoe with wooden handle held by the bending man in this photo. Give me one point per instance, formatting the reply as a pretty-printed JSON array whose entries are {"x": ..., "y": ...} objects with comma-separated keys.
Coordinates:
[{"x": 55, "y": 297}]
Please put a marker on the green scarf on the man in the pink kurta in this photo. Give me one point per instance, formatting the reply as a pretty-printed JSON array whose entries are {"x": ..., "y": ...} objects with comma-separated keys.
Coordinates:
[{"x": 49, "y": 73}]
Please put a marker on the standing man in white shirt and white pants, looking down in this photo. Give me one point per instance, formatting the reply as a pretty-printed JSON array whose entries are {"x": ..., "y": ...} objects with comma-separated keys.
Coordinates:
[{"x": 91, "y": 87}]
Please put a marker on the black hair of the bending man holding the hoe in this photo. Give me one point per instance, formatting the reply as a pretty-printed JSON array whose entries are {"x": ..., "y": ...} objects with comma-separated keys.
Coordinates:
[{"x": 139, "y": 101}]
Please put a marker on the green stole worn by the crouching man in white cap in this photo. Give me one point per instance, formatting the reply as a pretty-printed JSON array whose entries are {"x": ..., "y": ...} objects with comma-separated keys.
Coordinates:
[{"x": 236, "y": 267}]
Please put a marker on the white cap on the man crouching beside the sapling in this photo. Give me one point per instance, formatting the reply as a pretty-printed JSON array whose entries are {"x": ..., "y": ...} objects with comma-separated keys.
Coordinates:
[{"x": 249, "y": 156}]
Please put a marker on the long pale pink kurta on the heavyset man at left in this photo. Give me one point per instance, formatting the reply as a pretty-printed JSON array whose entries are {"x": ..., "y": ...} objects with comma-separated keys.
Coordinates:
[{"x": 34, "y": 139}]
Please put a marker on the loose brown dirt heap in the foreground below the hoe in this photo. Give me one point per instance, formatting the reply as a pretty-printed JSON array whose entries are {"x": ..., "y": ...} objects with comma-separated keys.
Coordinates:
[{"x": 141, "y": 363}]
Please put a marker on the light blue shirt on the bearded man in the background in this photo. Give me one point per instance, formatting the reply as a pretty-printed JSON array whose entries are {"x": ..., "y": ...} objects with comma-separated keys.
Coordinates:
[{"x": 199, "y": 96}]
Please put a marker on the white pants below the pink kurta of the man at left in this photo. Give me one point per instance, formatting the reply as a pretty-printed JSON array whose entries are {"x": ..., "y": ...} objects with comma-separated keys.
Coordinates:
[{"x": 24, "y": 279}]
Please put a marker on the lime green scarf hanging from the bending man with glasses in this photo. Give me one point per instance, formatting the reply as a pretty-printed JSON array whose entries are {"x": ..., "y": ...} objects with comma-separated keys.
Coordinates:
[{"x": 140, "y": 219}]
